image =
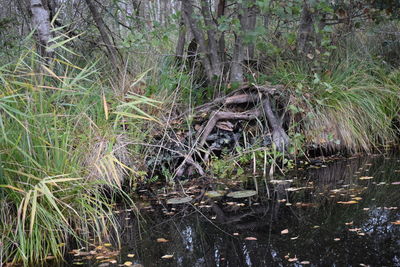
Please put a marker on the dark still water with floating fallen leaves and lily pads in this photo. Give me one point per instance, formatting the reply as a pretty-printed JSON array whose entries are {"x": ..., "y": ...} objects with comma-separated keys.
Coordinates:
[{"x": 360, "y": 230}]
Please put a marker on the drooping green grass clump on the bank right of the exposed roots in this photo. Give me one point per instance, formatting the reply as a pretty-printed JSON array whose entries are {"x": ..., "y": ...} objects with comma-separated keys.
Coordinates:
[{"x": 351, "y": 104}]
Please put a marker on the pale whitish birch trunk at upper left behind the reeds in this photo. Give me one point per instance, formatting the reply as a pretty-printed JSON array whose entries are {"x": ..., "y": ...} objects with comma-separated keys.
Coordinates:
[{"x": 41, "y": 22}]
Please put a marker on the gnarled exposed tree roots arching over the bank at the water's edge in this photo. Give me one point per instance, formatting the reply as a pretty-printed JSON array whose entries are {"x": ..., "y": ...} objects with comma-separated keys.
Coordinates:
[{"x": 246, "y": 103}]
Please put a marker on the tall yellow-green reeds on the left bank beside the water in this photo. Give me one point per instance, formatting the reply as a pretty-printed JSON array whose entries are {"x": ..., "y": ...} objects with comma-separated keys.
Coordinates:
[{"x": 61, "y": 146}]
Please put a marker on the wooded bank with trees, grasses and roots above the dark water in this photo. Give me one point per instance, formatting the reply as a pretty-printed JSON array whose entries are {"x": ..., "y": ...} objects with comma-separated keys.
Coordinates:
[{"x": 103, "y": 99}]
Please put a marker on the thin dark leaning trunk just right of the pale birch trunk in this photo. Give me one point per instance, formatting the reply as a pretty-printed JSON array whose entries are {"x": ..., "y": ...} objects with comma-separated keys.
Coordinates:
[{"x": 112, "y": 52}]
